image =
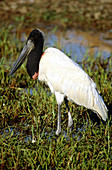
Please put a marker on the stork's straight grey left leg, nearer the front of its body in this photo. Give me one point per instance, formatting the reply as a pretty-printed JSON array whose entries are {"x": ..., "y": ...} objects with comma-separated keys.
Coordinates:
[{"x": 59, "y": 120}]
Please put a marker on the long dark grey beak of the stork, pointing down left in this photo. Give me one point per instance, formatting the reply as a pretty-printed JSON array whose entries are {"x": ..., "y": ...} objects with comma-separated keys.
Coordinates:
[{"x": 24, "y": 53}]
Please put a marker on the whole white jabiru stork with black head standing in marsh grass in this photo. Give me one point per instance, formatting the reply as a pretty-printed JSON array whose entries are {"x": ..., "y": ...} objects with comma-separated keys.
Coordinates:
[{"x": 65, "y": 78}]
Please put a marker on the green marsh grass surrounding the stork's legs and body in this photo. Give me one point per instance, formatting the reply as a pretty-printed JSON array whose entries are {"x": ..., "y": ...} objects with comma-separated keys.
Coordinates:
[{"x": 28, "y": 116}]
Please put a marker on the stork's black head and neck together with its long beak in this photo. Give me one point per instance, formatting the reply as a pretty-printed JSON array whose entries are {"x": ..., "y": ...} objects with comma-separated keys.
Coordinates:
[{"x": 33, "y": 49}]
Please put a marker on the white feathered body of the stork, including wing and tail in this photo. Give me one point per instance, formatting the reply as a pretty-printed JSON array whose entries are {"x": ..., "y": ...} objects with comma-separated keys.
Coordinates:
[{"x": 66, "y": 78}]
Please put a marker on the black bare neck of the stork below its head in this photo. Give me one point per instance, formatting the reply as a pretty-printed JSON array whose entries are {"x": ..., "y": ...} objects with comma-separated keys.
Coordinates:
[{"x": 33, "y": 60}]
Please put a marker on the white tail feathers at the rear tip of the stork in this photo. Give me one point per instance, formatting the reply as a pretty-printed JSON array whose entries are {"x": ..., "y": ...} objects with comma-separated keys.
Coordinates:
[{"x": 100, "y": 107}]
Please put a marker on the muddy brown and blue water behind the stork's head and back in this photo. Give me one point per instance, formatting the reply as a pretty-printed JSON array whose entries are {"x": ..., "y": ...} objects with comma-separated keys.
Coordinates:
[{"x": 76, "y": 44}]
